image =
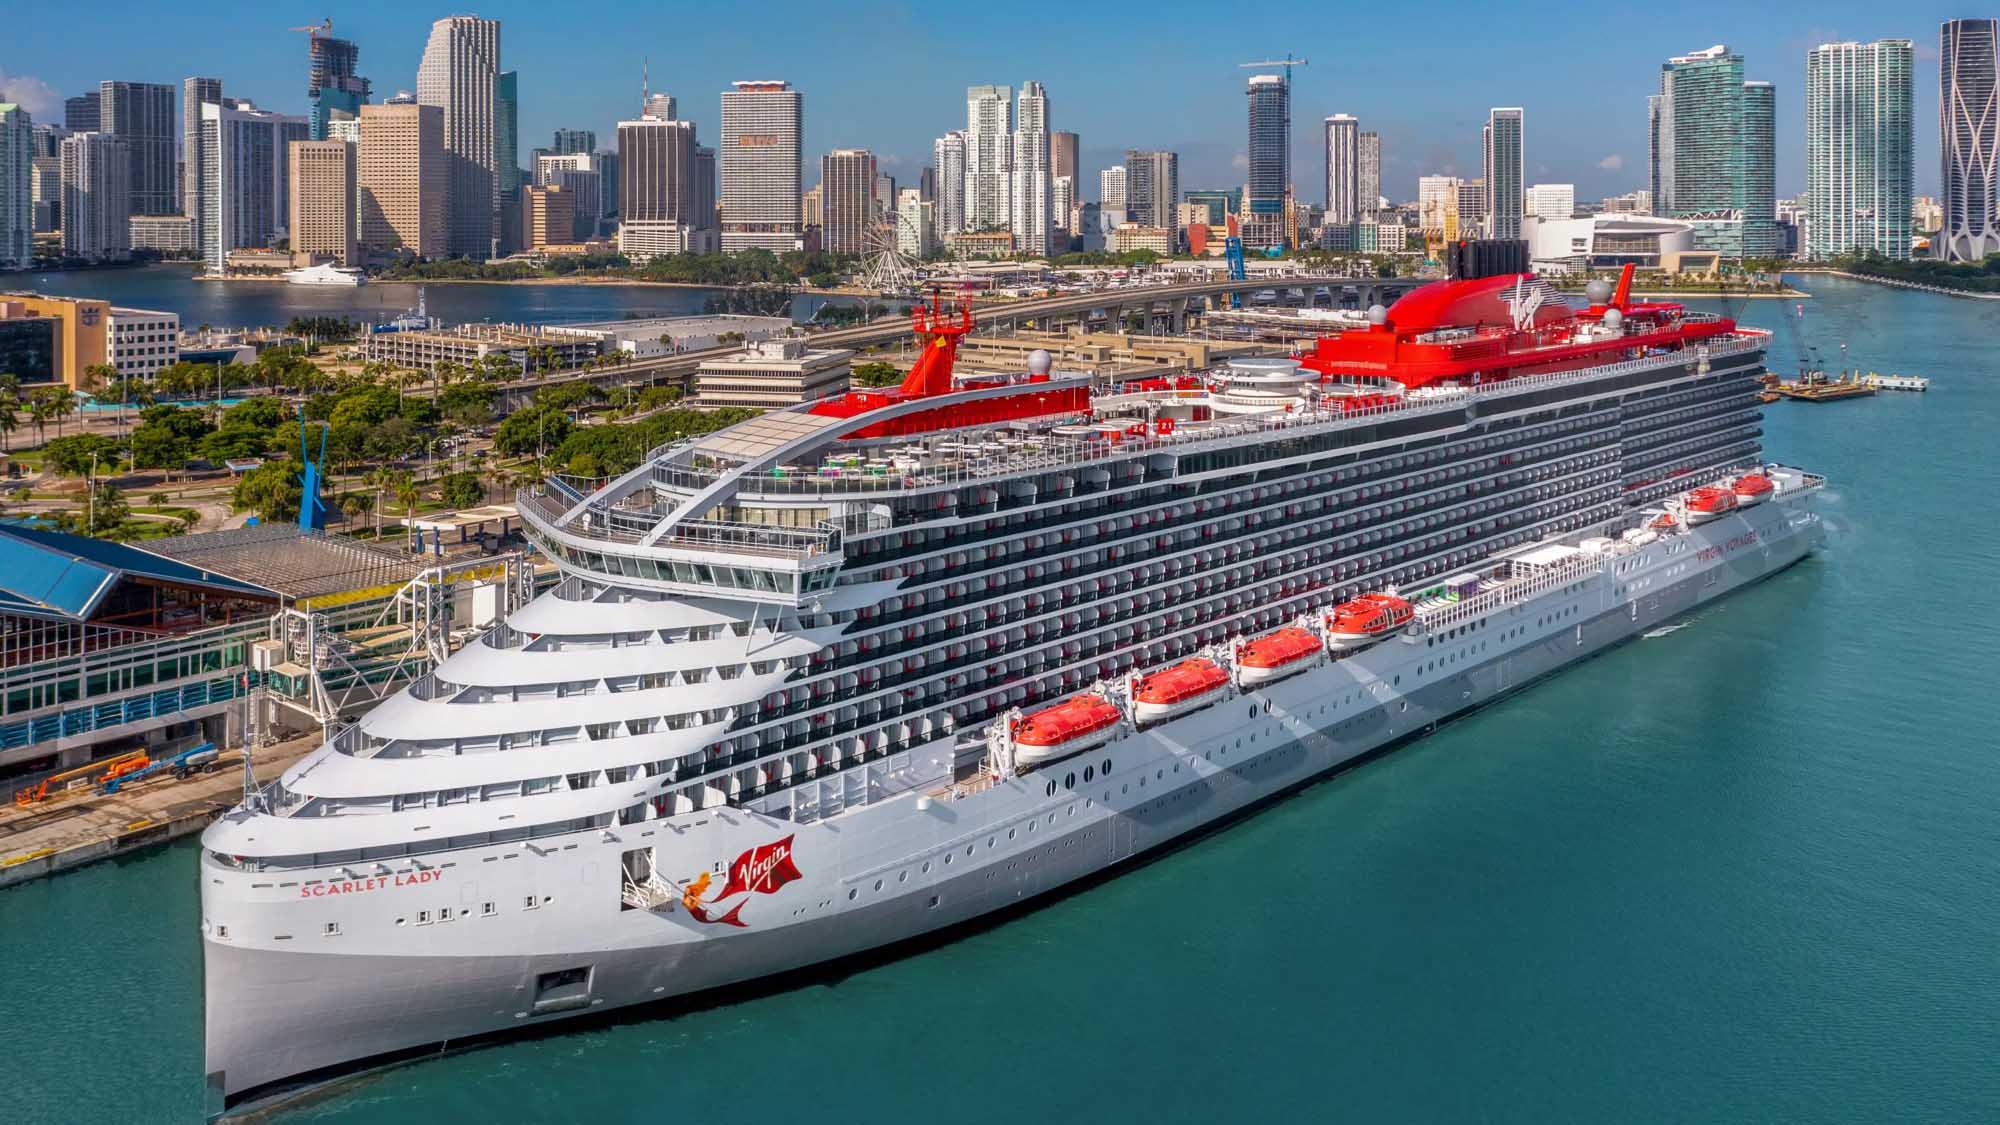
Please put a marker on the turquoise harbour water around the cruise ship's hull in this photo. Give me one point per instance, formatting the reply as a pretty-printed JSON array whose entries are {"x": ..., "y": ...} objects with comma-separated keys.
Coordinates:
[{"x": 1739, "y": 872}]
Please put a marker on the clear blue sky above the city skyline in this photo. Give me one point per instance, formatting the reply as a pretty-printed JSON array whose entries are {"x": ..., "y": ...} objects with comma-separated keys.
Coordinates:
[{"x": 1159, "y": 75}]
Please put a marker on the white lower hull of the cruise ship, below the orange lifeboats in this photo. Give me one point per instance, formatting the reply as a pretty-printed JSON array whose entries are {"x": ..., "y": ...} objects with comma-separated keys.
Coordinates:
[{"x": 891, "y": 870}]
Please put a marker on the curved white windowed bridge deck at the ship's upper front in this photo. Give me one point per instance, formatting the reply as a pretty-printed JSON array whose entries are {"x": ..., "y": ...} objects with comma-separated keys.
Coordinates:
[{"x": 783, "y": 566}]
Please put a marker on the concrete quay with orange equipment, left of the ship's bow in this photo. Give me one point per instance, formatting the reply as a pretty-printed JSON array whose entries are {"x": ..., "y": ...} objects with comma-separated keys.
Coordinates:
[{"x": 83, "y": 828}]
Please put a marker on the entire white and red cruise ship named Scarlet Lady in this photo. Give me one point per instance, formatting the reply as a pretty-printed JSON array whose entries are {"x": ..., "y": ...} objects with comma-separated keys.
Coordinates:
[{"x": 891, "y": 662}]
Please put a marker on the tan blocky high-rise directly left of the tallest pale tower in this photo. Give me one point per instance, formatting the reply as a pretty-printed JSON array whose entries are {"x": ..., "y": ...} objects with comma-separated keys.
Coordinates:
[{"x": 403, "y": 179}]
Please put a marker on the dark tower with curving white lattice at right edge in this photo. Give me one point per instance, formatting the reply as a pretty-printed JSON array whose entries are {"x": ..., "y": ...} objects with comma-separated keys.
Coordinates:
[{"x": 1969, "y": 137}]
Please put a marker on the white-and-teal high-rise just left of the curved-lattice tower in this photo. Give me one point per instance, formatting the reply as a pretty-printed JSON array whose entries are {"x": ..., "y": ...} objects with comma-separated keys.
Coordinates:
[{"x": 1859, "y": 137}]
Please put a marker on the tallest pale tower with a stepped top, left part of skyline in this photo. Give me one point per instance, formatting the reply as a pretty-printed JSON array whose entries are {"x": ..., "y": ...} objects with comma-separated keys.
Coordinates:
[{"x": 461, "y": 75}]
